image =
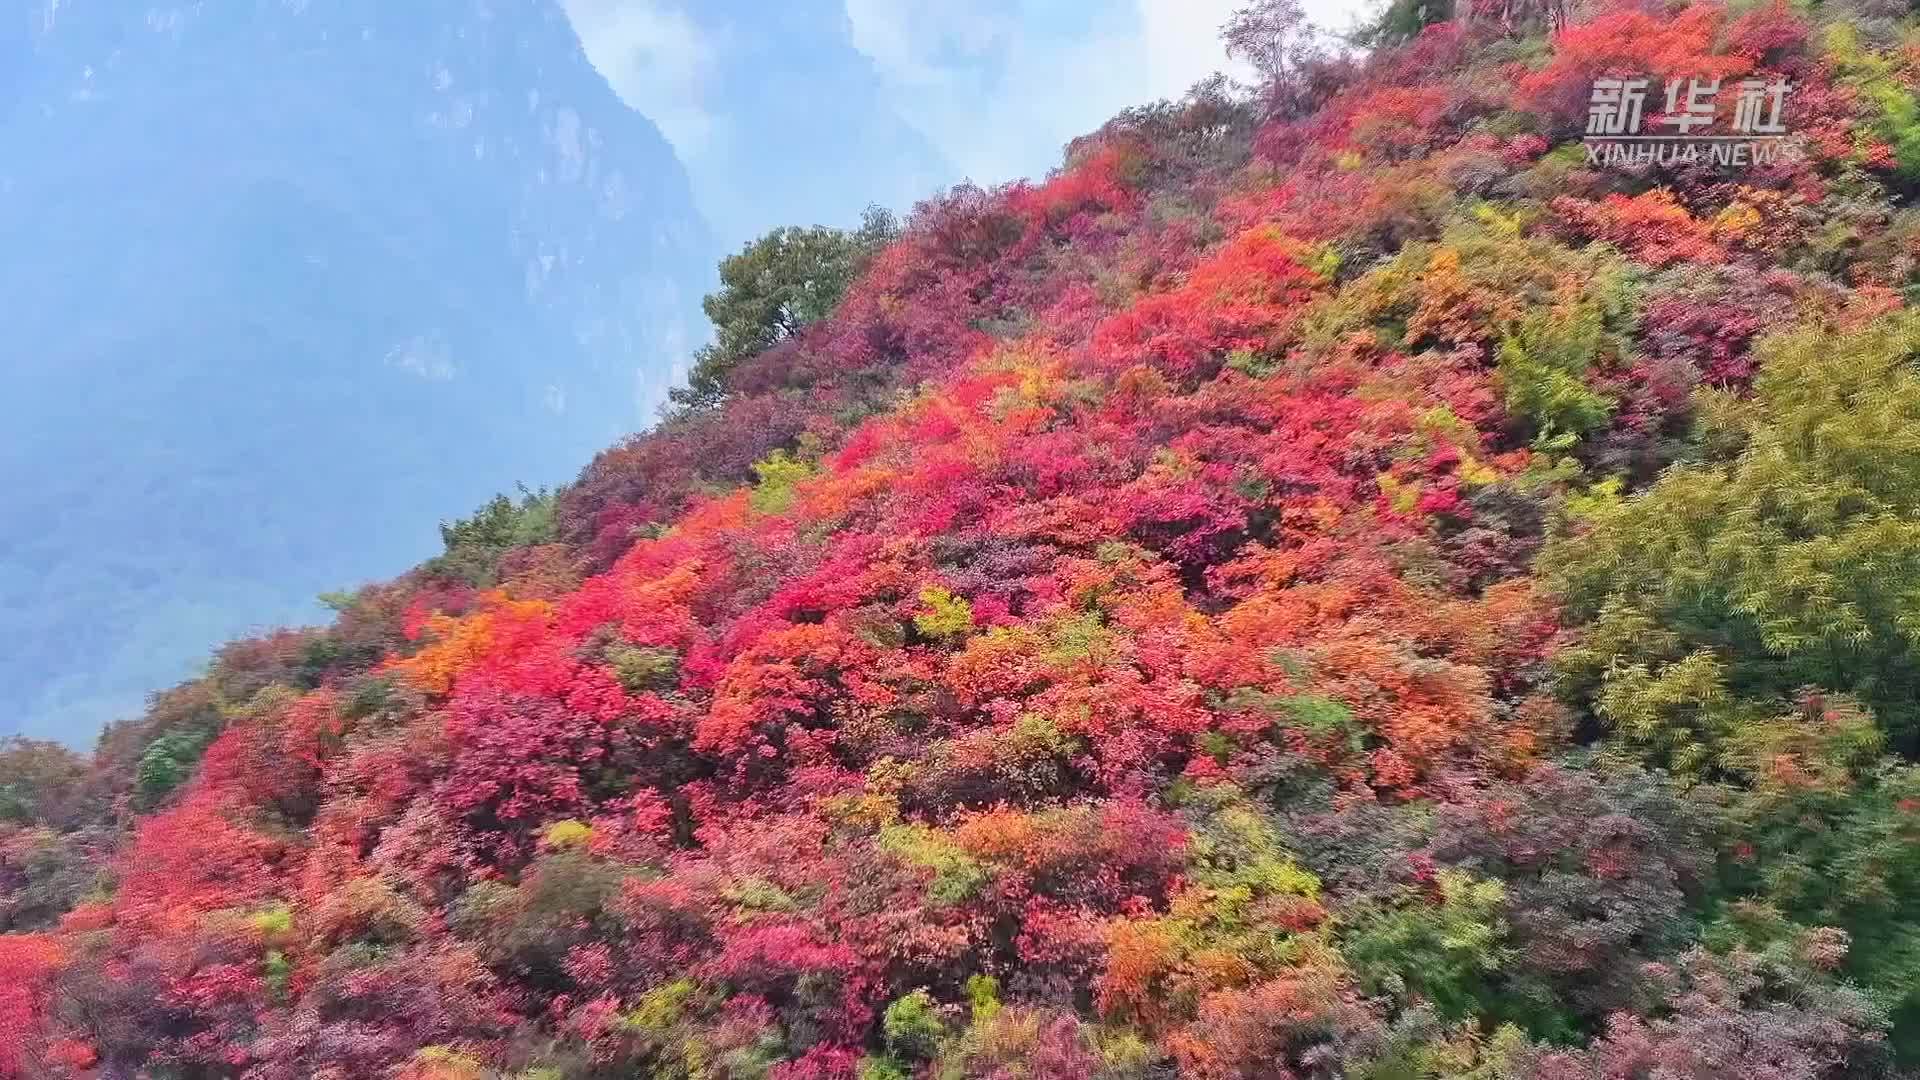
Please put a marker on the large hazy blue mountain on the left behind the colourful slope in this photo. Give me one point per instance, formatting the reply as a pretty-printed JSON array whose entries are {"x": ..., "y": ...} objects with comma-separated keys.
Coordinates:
[{"x": 287, "y": 283}]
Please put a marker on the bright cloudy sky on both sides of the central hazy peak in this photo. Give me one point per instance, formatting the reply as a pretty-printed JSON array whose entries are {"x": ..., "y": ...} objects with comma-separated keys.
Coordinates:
[{"x": 997, "y": 86}]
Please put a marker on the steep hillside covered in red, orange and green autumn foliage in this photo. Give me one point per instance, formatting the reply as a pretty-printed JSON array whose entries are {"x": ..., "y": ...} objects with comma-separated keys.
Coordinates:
[{"x": 1330, "y": 583}]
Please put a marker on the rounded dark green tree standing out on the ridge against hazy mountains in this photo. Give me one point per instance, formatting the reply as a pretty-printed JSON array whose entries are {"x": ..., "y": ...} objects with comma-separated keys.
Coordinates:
[{"x": 773, "y": 289}]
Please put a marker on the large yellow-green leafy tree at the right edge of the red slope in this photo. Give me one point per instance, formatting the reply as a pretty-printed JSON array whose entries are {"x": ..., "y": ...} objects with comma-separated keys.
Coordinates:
[{"x": 1787, "y": 558}]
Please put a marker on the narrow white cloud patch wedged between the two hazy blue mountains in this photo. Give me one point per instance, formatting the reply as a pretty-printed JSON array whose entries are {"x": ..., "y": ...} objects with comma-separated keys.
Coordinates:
[{"x": 656, "y": 59}]
